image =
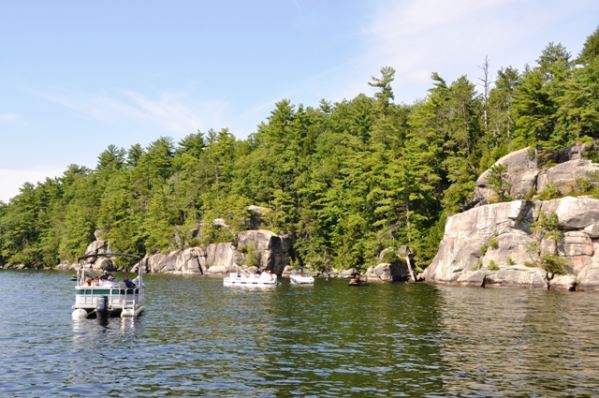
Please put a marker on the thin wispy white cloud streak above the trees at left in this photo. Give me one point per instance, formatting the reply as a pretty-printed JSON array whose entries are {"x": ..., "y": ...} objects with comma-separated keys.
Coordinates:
[{"x": 177, "y": 113}]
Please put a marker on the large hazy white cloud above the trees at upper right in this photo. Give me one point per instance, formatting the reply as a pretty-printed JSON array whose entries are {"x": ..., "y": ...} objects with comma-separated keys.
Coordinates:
[{"x": 449, "y": 37}]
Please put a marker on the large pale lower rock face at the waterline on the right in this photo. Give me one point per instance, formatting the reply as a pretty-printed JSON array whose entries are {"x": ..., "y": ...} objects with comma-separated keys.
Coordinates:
[{"x": 495, "y": 245}]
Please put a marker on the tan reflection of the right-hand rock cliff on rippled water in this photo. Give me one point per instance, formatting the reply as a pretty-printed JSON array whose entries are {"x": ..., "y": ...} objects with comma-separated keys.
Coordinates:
[{"x": 520, "y": 342}]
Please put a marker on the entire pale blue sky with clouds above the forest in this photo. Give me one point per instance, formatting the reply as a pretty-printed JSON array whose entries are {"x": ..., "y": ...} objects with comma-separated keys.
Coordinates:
[{"x": 77, "y": 76}]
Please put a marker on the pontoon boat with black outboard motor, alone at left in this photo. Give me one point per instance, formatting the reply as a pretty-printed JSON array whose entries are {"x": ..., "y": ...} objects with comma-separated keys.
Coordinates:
[{"x": 107, "y": 297}]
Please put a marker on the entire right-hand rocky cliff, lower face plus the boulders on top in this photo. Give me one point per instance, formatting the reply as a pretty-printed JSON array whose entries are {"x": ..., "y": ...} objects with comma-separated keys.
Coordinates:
[{"x": 516, "y": 242}]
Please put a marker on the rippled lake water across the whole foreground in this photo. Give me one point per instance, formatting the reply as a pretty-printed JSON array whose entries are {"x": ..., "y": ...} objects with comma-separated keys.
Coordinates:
[{"x": 197, "y": 337}]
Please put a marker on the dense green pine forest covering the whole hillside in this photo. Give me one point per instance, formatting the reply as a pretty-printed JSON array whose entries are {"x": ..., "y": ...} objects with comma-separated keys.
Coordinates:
[{"x": 345, "y": 179}]
